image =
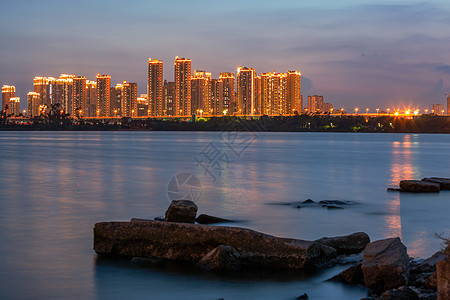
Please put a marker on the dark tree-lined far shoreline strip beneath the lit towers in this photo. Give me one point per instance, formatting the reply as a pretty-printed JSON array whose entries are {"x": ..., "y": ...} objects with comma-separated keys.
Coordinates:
[{"x": 300, "y": 123}]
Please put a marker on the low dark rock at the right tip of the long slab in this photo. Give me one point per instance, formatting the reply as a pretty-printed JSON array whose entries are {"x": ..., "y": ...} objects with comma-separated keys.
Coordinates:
[{"x": 348, "y": 244}]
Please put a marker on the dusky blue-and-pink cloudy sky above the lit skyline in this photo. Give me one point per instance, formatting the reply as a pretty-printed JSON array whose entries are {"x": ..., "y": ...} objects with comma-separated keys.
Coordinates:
[{"x": 356, "y": 53}]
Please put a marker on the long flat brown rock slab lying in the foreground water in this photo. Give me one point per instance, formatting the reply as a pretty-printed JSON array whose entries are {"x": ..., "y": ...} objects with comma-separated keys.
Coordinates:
[{"x": 191, "y": 242}]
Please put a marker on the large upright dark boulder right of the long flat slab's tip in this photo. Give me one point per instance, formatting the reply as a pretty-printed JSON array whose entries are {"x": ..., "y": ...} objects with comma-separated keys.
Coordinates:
[{"x": 385, "y": 265}]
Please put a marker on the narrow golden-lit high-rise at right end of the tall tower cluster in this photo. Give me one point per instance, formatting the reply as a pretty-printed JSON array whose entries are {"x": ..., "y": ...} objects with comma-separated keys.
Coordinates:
[{"x": 294, "y": 100}]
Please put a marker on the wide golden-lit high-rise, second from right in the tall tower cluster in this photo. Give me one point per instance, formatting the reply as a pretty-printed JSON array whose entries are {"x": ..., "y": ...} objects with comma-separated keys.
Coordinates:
[{"x": 273, "y": 93}]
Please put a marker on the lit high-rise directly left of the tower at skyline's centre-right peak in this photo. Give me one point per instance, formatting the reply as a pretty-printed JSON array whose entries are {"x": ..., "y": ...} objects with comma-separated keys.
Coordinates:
[{"x": 226, "y": 94}]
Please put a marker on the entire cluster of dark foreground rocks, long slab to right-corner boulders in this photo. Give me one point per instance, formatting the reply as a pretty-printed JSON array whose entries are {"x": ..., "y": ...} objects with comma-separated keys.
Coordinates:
[{"x": 385, "y": 269}]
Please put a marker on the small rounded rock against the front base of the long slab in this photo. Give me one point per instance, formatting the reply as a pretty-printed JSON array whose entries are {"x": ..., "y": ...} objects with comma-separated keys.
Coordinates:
[{"x": 222, "y": 258}]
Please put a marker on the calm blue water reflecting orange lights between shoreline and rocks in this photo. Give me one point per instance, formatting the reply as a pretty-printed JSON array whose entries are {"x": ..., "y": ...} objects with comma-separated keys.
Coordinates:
[{"x": 55, "y": 185}]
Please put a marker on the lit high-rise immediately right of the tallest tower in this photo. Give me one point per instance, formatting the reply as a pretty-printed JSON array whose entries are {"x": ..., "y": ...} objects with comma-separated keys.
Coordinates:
[{"x": 201, "y": 92}]
